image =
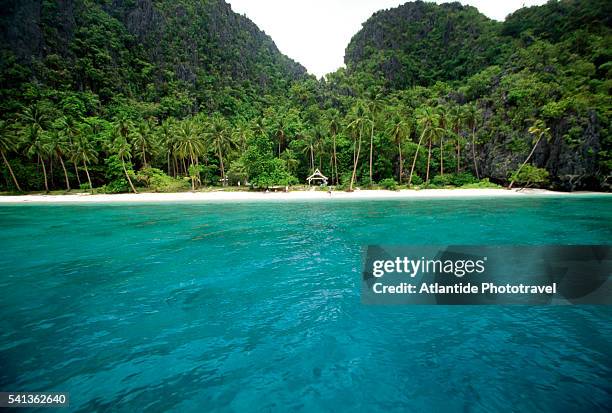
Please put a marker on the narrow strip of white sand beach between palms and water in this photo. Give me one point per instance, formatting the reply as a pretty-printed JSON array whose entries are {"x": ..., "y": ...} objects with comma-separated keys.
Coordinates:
[{"x": 278, "y": 196}]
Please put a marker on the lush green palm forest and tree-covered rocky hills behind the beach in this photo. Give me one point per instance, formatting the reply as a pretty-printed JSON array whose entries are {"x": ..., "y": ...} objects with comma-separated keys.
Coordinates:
[{"x": 170, "y": 95}]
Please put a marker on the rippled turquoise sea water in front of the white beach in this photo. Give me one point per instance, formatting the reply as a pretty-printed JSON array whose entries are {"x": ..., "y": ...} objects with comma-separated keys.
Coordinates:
[{"x": 241, "y": 307}]
